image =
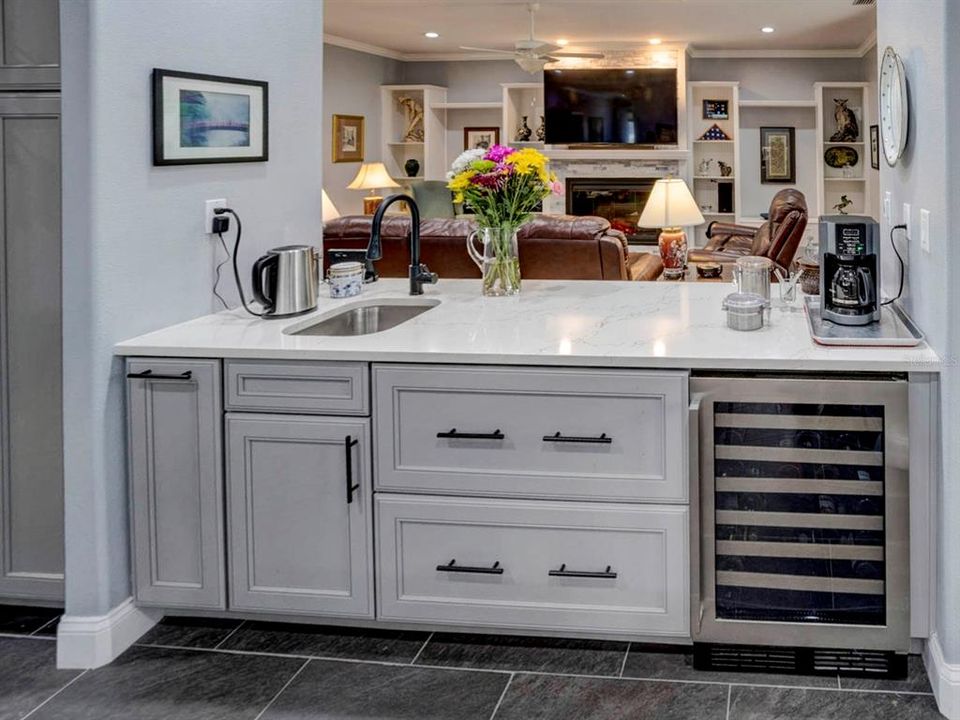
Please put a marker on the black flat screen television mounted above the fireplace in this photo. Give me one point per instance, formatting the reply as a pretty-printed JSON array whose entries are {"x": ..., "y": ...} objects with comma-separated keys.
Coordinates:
[{"x": 611, "y": 106}]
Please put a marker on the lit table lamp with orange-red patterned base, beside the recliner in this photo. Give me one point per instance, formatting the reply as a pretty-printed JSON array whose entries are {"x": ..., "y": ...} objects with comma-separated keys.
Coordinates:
[{"x": 670, "y": 207}]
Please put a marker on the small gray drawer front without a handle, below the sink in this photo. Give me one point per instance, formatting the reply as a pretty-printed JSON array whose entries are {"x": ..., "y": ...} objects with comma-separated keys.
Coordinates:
[{"x": 326, "y": 388}]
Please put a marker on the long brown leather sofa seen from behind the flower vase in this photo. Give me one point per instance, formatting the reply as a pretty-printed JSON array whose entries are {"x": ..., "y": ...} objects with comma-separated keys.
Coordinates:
[{"x": 552, "y": 247}]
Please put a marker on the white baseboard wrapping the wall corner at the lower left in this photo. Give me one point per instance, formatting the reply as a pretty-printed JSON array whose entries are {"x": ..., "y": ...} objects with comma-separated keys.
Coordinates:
[{"x": 96, "y": 640}]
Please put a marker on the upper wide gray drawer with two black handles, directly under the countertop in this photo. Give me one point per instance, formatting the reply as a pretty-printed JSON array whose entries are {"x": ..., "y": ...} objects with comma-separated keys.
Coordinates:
[{"x": 532, "y": 432}]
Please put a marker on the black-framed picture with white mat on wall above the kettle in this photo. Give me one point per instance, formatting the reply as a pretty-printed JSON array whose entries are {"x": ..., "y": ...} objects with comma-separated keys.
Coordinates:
[{"x": 204, "y": 119}]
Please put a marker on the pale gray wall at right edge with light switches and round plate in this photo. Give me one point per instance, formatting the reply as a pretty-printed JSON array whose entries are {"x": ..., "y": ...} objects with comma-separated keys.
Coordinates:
[{"x": 927, "y": 36}]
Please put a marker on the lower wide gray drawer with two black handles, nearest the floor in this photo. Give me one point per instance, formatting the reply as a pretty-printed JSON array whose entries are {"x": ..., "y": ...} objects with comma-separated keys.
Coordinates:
[{"x": 534, "y": 565}]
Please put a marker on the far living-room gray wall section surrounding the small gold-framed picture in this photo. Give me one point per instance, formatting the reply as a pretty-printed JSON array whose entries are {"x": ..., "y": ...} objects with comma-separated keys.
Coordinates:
[{"x": 351, "y": 86}]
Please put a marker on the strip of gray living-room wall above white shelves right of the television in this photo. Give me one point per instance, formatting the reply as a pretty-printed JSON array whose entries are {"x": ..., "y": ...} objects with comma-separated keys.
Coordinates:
[{"x": 776, "y": 78}]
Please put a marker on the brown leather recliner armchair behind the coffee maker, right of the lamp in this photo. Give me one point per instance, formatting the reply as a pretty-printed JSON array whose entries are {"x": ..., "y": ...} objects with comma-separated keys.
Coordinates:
[{"x": 778, "y": 238}]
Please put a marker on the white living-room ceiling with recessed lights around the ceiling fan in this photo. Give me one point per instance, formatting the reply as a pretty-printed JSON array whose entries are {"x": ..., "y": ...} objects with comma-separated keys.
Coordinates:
[{"x": 820, "y": 26}]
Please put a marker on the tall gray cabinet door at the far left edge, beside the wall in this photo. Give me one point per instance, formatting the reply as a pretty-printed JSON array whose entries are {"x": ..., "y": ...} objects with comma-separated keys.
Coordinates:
[{"x": 31, "y": 413}]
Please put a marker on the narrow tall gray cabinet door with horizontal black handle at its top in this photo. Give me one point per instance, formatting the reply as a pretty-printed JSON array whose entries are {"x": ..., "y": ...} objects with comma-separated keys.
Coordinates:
[{"x": 176, "y": 494}]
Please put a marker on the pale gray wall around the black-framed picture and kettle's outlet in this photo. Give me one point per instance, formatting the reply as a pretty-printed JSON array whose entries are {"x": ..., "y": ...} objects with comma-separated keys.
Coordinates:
[{"x": 135, "y": 254}]
